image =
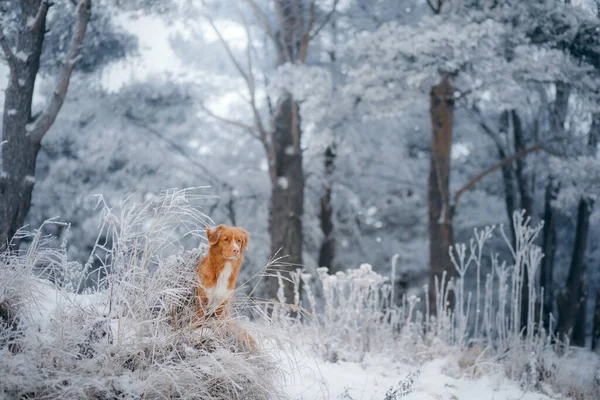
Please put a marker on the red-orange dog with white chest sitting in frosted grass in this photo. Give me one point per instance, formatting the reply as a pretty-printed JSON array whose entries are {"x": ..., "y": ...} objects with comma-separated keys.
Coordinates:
[{"x": 218, "y": 271}]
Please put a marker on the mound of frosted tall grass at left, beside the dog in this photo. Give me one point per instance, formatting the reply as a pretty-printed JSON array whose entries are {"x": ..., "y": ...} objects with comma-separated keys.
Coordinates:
[{"x": 133, "y": 337}]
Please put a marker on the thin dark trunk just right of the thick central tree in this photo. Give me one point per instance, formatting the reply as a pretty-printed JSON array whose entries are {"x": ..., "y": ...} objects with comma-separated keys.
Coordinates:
[{"x": 327, "y": 251}]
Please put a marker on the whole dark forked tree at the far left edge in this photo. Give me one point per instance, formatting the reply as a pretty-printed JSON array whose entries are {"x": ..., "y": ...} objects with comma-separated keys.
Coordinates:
[{"x": 22, "y": 132}]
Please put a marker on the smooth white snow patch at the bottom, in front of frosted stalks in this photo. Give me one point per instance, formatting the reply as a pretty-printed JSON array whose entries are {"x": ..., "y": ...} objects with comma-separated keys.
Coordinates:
[{"x": 310, "y": 378}]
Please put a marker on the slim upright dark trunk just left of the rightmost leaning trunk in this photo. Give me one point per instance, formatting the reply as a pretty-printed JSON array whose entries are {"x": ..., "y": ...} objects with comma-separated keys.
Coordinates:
[{"x": 549, "y": 250}]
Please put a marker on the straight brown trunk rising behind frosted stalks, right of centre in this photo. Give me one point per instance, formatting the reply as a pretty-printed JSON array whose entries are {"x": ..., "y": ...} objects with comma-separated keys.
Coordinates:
[{"x": 440, "y": 209}]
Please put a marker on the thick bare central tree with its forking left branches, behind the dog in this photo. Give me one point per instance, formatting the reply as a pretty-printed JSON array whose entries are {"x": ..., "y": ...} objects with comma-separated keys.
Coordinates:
[{"x": 281, "y": 137}]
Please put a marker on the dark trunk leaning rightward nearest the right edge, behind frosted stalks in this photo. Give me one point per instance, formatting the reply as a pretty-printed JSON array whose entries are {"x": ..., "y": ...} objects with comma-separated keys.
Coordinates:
[{"x": 572, "y": 297}]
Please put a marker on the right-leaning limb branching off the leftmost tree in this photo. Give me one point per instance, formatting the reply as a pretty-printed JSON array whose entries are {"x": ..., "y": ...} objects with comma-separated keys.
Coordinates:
[{"x": 42, "y": 124}]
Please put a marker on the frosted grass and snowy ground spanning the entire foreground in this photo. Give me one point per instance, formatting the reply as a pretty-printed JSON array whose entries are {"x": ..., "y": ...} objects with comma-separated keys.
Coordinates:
[{"x": 134, "y": 334}]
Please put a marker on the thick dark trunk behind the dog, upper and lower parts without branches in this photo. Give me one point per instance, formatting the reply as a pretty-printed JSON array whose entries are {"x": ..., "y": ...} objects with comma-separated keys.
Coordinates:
[{"x": 285, "y": 154}]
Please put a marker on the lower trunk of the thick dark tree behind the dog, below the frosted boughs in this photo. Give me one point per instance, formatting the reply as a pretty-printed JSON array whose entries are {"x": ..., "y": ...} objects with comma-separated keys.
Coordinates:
[{"x": 287, "y": 195}]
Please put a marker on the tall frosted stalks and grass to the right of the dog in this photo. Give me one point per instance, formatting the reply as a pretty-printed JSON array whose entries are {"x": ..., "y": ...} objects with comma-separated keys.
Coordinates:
[{"x": 356, "y": 318}]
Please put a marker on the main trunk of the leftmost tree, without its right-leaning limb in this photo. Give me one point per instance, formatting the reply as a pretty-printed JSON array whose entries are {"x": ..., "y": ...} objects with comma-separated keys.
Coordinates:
[{"x": 20, "y": 150}]
